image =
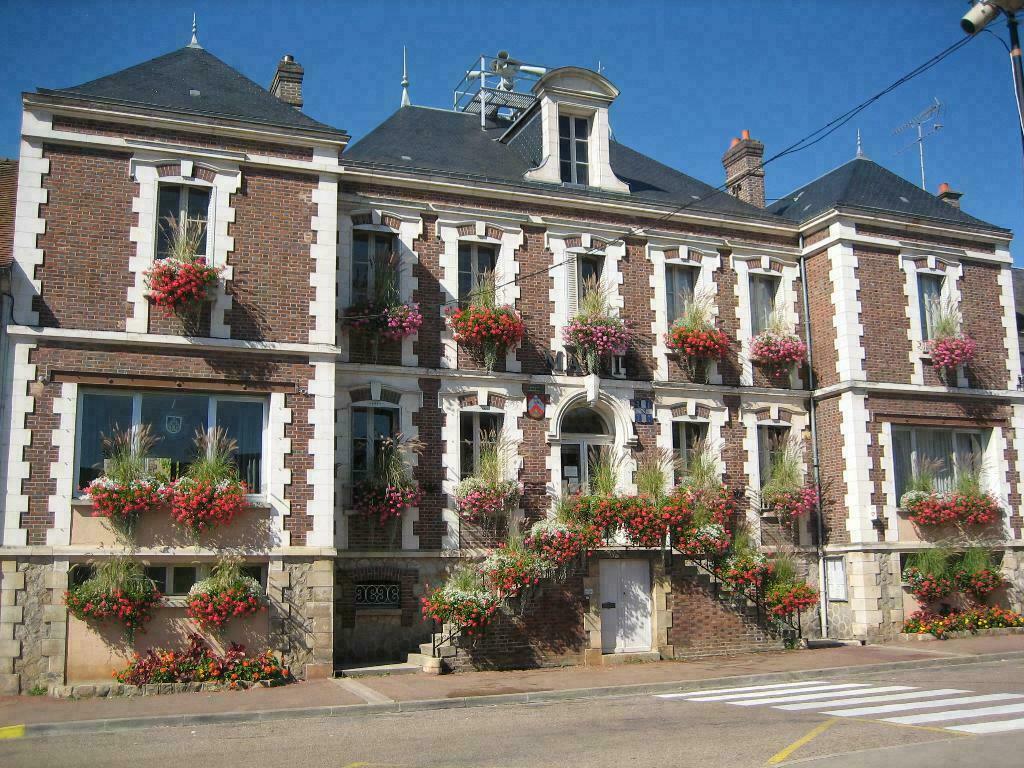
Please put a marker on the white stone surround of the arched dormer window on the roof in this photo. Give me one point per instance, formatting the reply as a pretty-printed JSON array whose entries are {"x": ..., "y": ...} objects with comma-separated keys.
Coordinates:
[{"x": 577, "y": 93}]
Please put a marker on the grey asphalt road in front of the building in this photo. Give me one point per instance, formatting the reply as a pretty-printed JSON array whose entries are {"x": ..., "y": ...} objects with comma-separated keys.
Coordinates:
[{"x": 628, "y": 732}]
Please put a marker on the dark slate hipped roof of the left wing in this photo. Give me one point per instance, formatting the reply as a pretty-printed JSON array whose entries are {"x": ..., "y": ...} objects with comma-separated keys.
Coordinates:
[{"x": 164, "y": 83}]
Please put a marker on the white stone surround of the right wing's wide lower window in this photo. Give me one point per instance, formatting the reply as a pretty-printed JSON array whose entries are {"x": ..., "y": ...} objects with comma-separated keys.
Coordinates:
[{"x": 995, "y": 470}]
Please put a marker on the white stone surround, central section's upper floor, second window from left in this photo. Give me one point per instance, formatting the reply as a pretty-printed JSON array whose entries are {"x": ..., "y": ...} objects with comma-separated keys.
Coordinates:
[{"x": 506, "y": 274}]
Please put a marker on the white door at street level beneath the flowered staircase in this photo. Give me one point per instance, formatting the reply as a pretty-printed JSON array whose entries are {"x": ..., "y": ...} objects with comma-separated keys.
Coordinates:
[{"x": 625, "y": 607}]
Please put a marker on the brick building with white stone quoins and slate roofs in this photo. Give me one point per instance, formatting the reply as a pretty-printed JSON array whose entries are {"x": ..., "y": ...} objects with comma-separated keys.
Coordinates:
[{"x": 538, "y": 192}]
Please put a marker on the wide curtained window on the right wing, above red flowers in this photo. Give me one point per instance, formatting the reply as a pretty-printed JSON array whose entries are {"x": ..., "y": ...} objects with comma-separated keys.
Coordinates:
[{"x": 944, "y": 453}]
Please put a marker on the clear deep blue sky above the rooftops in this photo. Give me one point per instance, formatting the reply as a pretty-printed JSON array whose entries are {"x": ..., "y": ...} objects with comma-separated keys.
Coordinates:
[{"x": 693, "y": 74}]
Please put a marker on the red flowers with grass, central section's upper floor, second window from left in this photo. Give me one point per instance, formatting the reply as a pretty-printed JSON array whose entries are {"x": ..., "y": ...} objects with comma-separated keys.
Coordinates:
[{"x": 486, "y": 326}]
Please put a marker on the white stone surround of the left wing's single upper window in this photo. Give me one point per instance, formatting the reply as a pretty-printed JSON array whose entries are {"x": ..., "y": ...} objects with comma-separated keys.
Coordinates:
[{"x": 228, "y": 180}]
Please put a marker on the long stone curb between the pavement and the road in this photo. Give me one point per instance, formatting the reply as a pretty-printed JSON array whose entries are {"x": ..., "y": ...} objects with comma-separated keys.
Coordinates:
[{"x": 545, "y": 697}]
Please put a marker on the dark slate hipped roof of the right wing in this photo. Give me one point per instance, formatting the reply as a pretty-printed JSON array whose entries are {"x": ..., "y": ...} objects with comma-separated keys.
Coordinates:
[{"x": 864, "y": 184}]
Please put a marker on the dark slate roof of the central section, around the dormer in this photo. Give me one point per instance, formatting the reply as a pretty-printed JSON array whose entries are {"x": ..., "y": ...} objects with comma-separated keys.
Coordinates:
[{"x": 452, "y": 143}]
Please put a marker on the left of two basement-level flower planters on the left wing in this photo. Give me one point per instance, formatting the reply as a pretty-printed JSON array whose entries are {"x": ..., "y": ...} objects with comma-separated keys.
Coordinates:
[{"x": 118, "y": 591}]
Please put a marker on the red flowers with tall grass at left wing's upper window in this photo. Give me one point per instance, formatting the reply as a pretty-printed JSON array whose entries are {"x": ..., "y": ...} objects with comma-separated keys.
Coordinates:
[{"x": 181, "y": 283}]
